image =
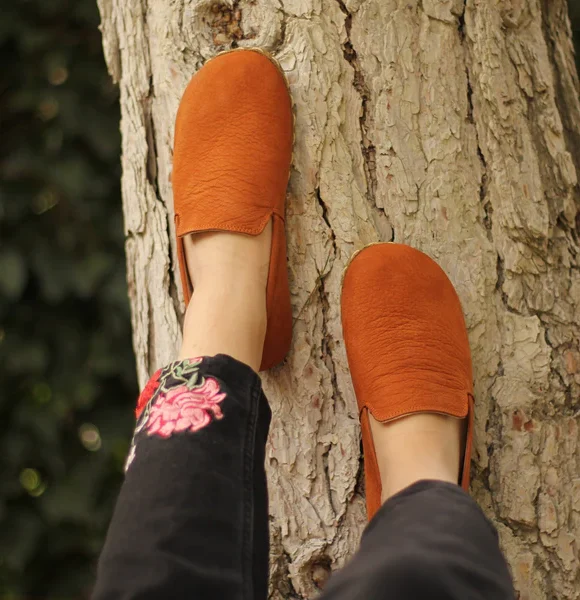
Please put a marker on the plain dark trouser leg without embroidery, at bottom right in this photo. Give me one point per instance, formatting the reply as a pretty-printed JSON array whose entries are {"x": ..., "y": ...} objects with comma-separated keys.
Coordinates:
[{"x": 430, "y": 540}]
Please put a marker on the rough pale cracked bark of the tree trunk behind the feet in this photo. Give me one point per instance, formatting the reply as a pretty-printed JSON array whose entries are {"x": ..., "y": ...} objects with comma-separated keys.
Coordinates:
[{"x": 448, "y": 125}]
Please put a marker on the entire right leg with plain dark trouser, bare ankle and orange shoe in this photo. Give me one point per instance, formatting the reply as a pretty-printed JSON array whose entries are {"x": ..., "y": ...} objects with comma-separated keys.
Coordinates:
[{"x": 407, "y": 347}]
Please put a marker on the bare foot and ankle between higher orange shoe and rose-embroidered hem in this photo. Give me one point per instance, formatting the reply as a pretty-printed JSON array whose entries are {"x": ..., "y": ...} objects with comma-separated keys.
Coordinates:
[{"x": 227, "y": 312}]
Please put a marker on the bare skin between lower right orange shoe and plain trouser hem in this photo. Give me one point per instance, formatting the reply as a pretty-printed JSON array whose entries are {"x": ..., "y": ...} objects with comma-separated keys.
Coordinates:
[{"x": 420, "y": 446}]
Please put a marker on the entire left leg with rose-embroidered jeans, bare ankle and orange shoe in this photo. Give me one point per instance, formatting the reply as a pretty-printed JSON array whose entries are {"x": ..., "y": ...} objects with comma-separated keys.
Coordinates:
[{"x": 191, "y": 519}]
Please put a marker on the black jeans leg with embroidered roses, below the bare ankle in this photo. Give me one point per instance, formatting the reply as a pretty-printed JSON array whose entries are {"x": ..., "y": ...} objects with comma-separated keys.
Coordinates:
[{"x": 190, "y": 516}]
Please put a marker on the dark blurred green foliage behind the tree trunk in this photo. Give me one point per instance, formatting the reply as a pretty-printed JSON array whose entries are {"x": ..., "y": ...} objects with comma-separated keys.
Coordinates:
[{"x": 67, "y": 373}]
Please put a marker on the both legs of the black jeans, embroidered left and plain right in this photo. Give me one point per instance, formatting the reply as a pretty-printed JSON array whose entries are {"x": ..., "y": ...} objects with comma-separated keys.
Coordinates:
[{"x": 191, "y": 520}]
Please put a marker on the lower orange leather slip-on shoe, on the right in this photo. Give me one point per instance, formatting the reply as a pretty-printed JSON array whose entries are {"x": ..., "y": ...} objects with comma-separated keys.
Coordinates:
[{"x": 406, "y": 344}]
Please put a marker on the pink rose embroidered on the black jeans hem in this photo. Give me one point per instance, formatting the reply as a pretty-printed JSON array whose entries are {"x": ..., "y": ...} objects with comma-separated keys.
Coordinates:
[{"x": 182, "y": 409}]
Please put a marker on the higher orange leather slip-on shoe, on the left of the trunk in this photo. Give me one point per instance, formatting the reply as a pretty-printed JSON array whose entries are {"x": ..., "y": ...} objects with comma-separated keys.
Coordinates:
[{"x": 231, "y": 163}]
